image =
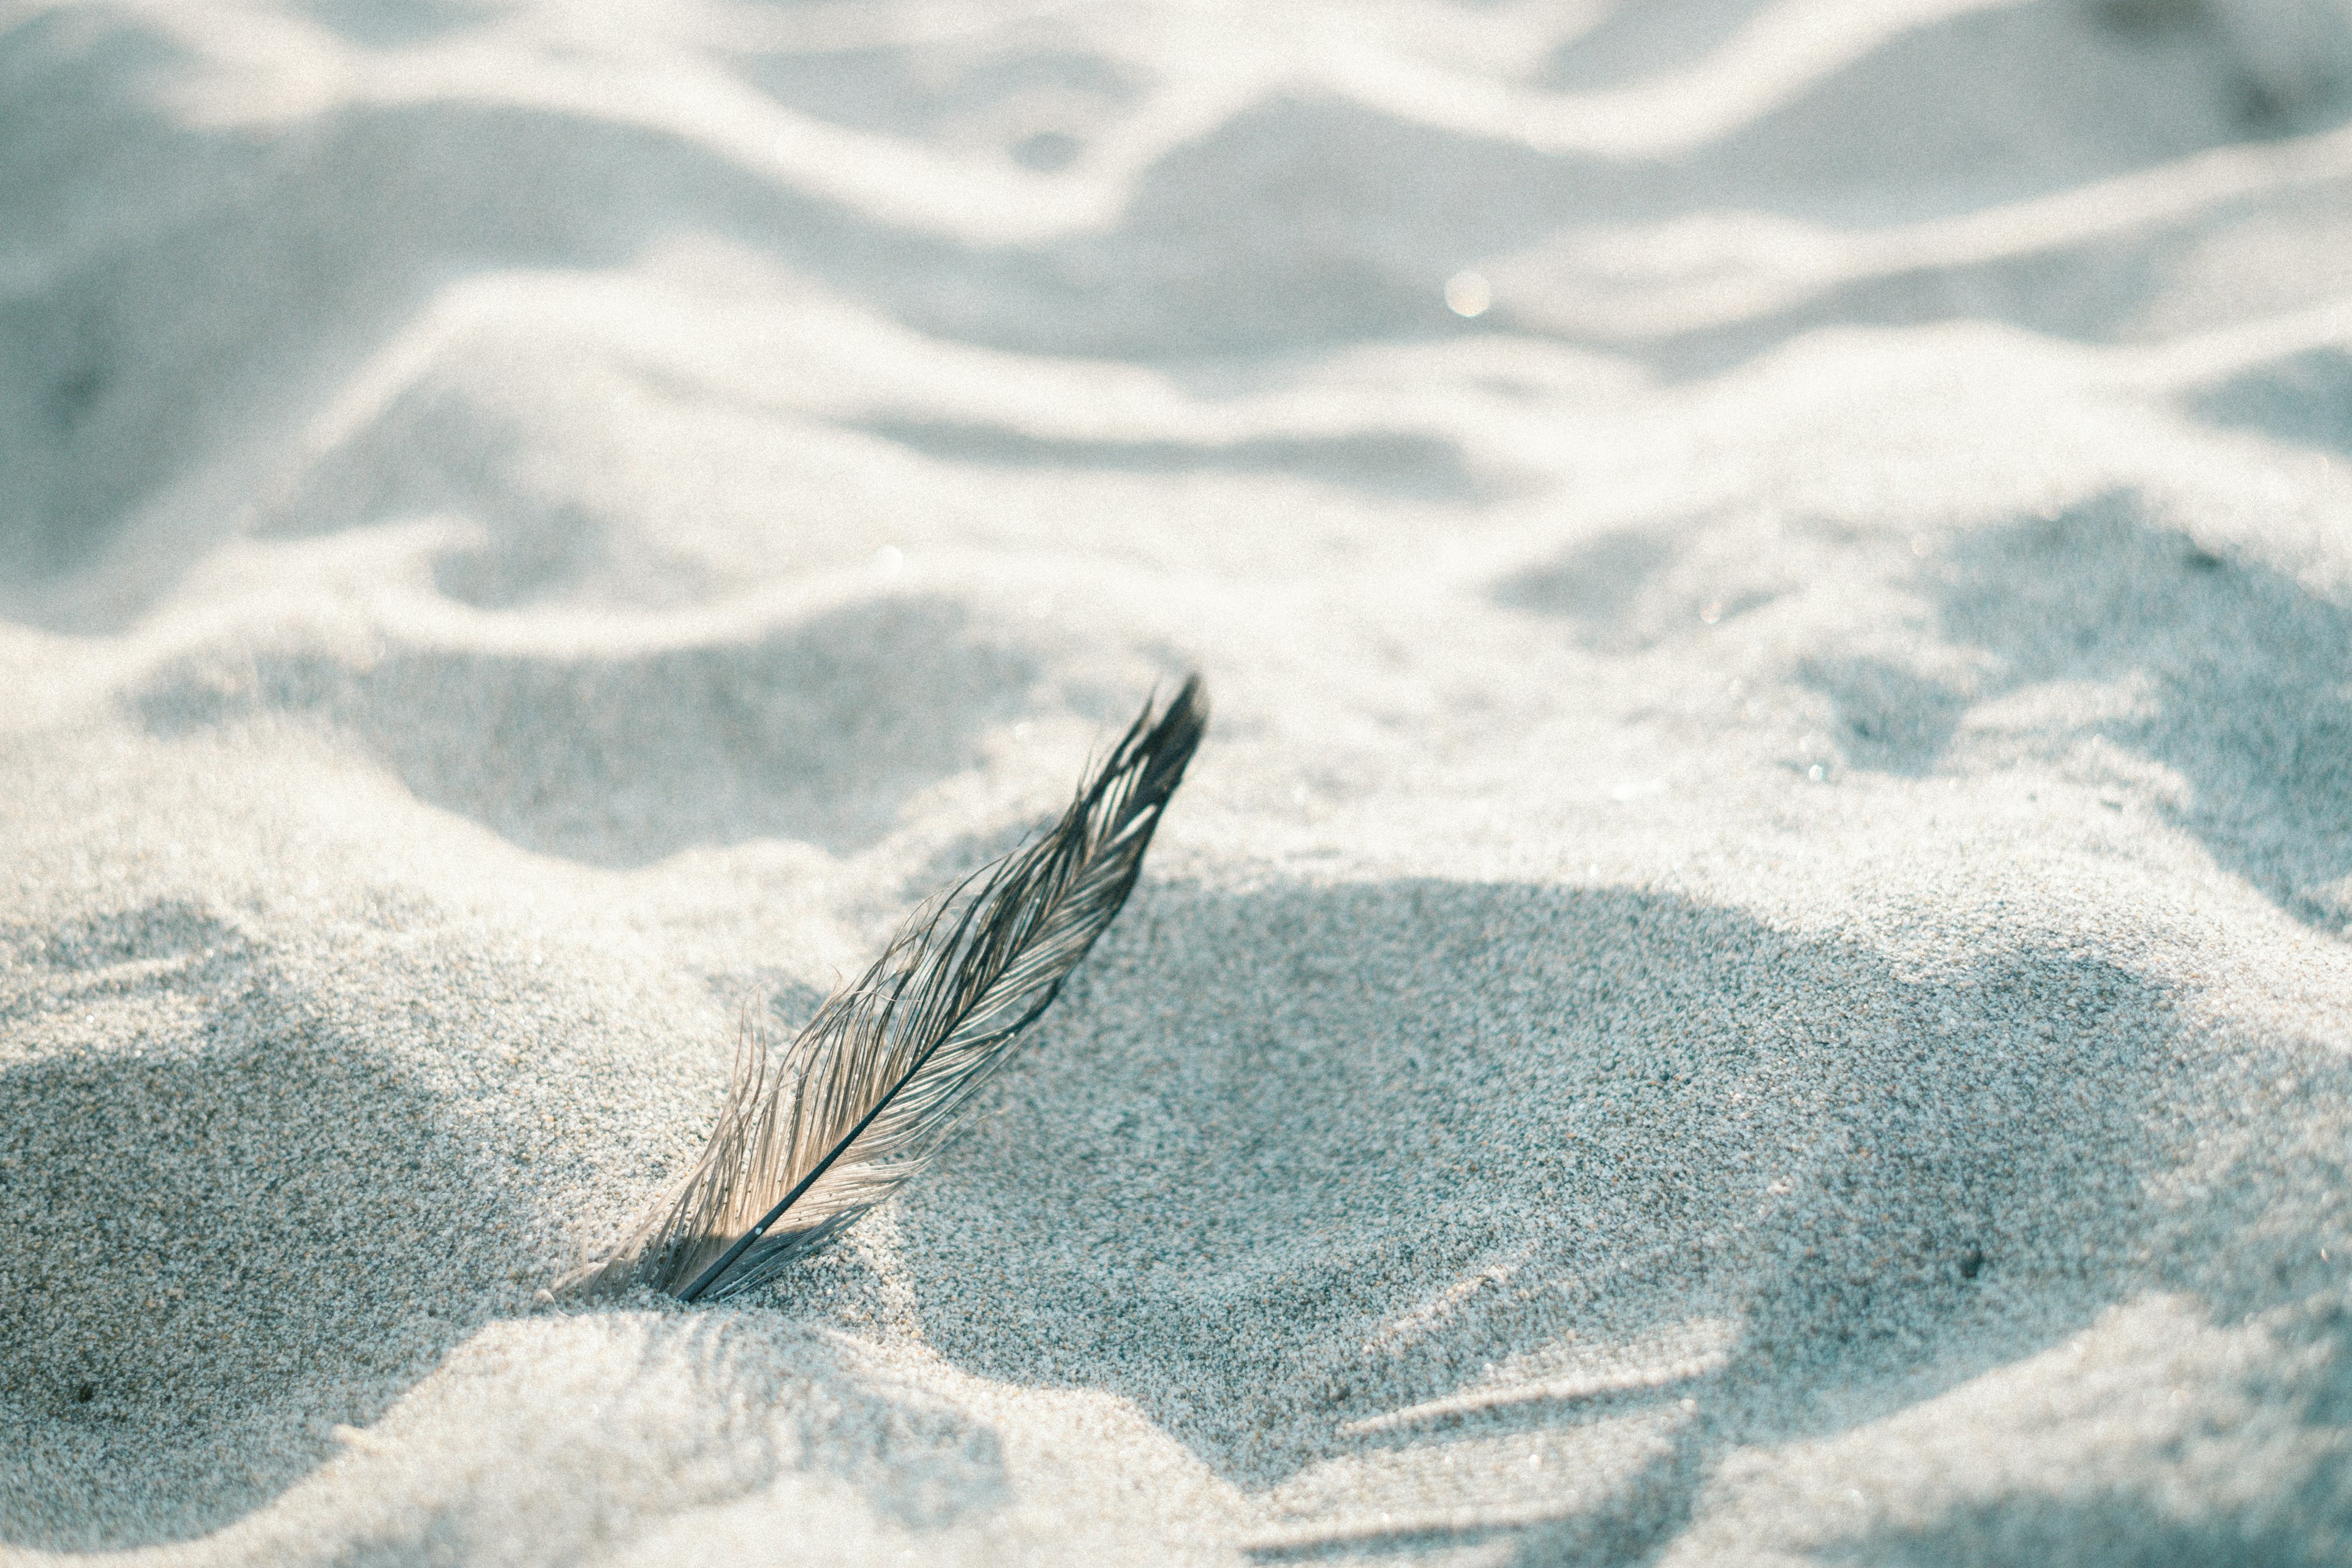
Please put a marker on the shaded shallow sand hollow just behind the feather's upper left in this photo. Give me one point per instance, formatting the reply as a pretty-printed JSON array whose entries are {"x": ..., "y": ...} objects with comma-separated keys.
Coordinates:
[{"x": 817, "y": 732}]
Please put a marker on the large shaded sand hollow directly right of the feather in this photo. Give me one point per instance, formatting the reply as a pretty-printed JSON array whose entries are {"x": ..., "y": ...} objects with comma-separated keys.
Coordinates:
[{"x": 1264, "y": 1125}]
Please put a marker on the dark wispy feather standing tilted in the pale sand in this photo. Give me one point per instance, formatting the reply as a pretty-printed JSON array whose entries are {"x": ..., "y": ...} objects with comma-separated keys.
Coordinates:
[{"x": 813, "y": 1139}]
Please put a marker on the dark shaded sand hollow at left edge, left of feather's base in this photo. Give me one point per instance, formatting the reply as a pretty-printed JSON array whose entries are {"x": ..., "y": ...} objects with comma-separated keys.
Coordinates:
[{"x": 199, "y": 1212}]
